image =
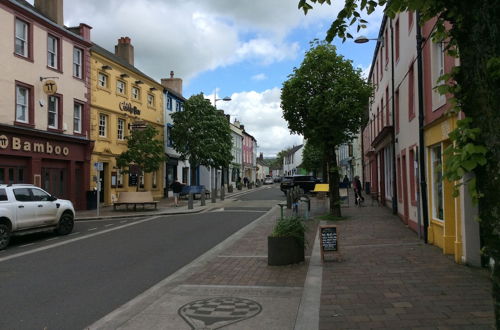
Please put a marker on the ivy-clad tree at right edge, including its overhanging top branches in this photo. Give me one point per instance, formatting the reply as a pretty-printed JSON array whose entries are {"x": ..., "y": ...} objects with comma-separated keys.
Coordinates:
[{"x": 472, "y": 32}]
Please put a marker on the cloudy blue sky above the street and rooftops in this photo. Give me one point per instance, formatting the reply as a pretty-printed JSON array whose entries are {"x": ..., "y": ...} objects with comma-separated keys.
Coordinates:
[{"x": 237, "y": 48}]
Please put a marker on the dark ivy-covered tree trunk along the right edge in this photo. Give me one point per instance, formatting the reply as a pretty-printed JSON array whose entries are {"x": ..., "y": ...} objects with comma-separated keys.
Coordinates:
[{"x": 478, "y": 39}]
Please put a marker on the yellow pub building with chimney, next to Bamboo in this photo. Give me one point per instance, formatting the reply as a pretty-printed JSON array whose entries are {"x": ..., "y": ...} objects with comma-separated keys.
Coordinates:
[{"x": 122, "y": 99}]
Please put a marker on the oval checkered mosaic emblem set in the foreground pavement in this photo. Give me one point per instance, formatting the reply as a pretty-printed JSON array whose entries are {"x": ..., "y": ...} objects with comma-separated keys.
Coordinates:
[{"x": 215, "y": 313}]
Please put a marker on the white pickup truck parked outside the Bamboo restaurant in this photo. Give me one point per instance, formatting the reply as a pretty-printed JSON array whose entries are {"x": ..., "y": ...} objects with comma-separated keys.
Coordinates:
[{"x": 25, "y": 209}]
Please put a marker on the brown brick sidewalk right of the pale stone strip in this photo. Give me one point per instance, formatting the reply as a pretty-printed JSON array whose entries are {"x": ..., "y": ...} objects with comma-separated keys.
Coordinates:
[{"x": 389, "y": 279}]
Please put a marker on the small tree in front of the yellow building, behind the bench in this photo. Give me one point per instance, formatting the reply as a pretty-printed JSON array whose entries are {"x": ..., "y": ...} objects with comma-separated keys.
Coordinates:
[{"x": 145, "y": 153}]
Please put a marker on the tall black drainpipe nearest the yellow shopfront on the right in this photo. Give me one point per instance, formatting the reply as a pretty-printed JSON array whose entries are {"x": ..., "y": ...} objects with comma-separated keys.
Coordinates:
[{"x": 421, "y": 149}]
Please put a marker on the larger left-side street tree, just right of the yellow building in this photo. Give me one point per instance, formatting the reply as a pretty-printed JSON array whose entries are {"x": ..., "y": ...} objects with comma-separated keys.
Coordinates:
[{"x": 201, "y": 134}]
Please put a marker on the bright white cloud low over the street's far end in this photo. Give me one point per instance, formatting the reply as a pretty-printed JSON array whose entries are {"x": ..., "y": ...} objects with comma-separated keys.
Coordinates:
[{"x": 262, "y": 116}]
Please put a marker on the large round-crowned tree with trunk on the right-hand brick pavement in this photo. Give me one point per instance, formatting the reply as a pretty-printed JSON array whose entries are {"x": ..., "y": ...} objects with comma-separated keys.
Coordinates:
[{"x": 324, "y": 100}]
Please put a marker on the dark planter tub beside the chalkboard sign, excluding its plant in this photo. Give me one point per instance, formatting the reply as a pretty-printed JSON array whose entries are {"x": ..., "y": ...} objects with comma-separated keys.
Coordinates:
[{"x": 284, "y": 251}]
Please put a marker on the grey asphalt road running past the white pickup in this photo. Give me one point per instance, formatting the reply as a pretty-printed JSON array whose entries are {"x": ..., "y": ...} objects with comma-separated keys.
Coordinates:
[{"x": 68, "y": 283}]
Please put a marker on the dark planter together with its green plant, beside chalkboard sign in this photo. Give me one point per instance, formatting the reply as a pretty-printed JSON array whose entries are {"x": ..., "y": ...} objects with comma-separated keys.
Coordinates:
[{"x": 286, "y": 243}]
